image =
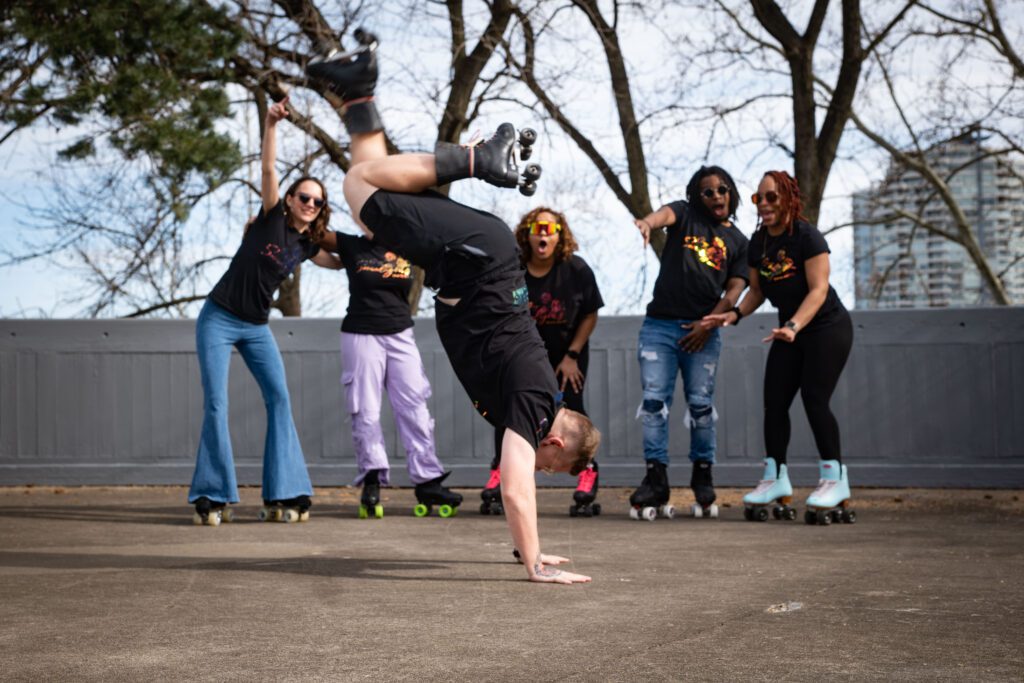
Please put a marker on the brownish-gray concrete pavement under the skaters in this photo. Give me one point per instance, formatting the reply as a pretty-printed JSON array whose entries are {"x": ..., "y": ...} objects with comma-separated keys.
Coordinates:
[{"x": 117, "y": 584}]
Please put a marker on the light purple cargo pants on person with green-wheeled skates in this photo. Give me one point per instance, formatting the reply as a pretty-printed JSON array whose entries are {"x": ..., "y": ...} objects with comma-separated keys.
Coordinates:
[{"x": 371, "y": 364}]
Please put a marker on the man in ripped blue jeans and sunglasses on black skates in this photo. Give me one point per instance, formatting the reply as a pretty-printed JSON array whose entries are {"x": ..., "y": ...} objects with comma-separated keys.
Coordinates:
[{"x": 704, "y": 271}]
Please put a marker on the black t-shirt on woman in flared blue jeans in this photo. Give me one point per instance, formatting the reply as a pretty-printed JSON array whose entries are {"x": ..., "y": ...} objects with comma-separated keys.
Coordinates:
[{"x": 269, "y": 253}]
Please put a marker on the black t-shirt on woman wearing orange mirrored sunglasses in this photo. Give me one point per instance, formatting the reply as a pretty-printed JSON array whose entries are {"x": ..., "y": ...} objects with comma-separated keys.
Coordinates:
[{"x": 560, "y": 302}]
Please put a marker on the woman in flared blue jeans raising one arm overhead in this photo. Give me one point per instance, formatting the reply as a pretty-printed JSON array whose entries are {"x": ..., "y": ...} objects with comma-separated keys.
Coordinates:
[{"x": 284, "y": 234}]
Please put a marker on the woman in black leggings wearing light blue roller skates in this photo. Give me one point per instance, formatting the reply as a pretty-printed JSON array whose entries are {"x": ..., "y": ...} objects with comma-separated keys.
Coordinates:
[{"x": 789, "y": 262}]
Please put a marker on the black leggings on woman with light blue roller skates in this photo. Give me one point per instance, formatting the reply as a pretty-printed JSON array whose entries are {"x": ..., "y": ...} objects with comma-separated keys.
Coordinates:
[{"x": 812, "y": 364}]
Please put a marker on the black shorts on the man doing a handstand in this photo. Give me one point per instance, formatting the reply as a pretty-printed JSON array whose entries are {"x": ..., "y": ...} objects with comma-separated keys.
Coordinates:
[{"x": 458, "y": 247}]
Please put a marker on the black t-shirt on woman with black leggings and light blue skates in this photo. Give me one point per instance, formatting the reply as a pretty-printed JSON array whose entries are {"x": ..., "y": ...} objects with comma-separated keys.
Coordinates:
[{"x": 781, "y": 269}]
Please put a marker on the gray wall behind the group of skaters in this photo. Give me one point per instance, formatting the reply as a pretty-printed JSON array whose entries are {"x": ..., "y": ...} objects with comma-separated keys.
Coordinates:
[{"x": 930, "y": 398}]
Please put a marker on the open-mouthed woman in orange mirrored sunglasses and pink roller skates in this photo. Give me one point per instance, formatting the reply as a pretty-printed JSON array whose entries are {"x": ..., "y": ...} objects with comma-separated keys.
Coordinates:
[{"x": 564, "y": 303}]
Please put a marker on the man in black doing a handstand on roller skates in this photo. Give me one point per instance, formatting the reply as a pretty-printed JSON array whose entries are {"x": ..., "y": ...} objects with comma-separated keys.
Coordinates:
[{"x": 473, "y": 260}]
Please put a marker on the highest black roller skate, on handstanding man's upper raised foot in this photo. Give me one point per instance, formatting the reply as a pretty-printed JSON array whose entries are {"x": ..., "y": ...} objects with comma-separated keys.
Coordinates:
[{"x": 353, "y": 76}]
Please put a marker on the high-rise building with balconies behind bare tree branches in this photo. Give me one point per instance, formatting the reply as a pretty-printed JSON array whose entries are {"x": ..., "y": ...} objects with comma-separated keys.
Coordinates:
[{"x": 900, "y": 265}]
